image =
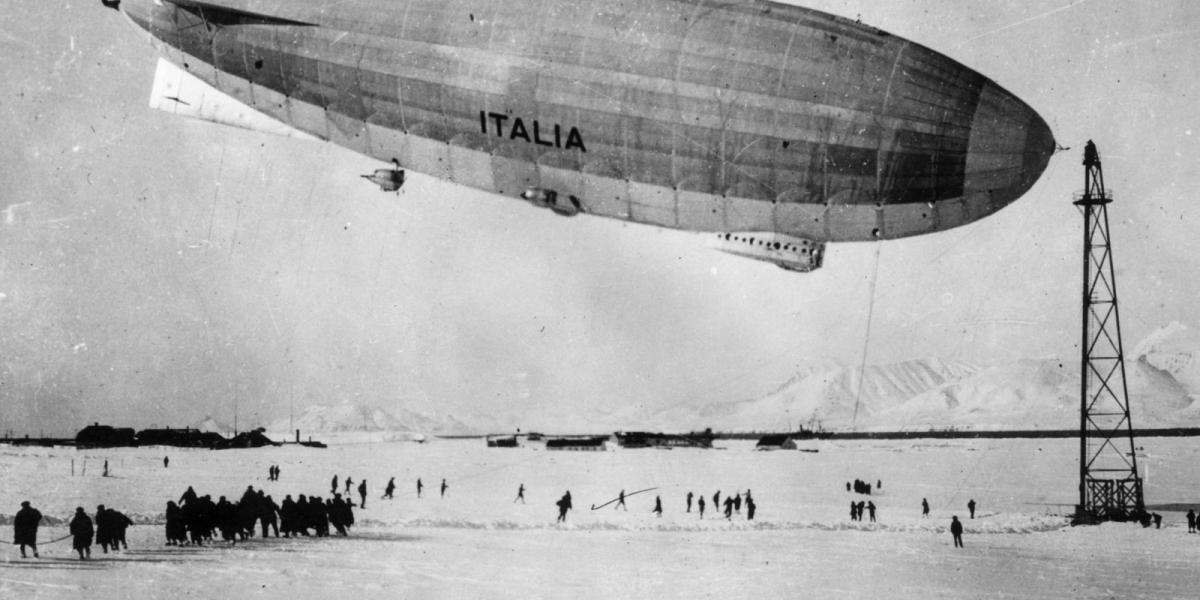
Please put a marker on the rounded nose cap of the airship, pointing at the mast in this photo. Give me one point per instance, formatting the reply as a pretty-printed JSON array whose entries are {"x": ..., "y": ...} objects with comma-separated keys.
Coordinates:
[{"x": 1010, "y": 148}]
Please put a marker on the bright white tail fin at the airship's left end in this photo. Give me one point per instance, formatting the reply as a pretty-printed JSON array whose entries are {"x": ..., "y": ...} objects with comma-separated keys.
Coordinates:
[{"x": 179, "y": 93}]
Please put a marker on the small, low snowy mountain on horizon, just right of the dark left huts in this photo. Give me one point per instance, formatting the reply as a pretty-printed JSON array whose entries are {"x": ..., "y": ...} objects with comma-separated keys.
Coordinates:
[{"x": 346, "y": 418}]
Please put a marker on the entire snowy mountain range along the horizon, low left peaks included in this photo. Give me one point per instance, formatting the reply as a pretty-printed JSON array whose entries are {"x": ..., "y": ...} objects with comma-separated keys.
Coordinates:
[{"x": 1163, "y": 376}]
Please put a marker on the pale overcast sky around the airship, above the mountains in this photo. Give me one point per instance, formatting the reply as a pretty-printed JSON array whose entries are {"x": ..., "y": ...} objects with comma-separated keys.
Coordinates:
[{"x": 155, "y": 271}]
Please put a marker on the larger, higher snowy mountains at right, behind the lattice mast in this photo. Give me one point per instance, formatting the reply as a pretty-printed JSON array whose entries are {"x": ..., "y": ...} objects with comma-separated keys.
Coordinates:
[{"x": 1163, "y": 377}]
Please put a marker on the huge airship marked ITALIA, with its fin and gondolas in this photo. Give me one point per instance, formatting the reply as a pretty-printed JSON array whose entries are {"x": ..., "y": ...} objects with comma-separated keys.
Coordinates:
[{"x": 772, "y": 129}]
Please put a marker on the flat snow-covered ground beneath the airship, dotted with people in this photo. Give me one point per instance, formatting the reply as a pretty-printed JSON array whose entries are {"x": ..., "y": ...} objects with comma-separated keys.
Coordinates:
[{"x": 477, "y": 543}]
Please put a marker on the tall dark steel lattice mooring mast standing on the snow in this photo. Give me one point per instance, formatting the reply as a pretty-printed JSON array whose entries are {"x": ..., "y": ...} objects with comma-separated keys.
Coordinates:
[{"x": 1109, "y": 485}]
